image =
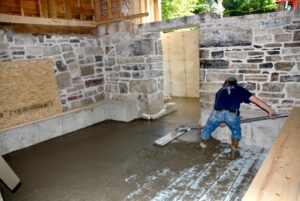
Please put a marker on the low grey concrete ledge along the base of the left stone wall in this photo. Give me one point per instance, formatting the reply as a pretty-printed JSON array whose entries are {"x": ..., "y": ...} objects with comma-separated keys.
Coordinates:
[{"x": 26, "y": 135}]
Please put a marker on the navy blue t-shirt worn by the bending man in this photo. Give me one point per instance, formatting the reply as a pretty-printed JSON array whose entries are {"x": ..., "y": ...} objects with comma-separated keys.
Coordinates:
[{"x": 230, "y": 97}]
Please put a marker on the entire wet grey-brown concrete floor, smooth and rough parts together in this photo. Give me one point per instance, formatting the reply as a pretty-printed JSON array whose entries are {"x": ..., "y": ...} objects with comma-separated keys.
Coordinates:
[{"x": 118, "y": 161}]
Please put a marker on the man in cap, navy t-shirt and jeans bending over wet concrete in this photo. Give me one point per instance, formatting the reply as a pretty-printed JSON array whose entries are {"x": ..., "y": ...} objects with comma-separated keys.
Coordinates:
[{"x": 226, "y": 112}]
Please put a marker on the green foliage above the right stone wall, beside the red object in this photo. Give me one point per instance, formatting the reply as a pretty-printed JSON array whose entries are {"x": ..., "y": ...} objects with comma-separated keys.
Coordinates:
[{"x": 245, "y": 7}]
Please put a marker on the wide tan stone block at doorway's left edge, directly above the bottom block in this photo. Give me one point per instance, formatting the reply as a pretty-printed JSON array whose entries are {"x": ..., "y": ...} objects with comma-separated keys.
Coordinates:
[{"x": 143, "y": 86}]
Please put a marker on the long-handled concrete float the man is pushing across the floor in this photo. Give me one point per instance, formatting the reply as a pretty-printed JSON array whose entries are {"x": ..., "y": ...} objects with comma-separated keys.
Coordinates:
[{"x": 183, "y": 129}]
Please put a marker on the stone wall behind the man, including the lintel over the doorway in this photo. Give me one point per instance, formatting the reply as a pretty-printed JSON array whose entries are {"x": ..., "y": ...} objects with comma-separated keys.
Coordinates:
[{"x": 261, "y": 51}]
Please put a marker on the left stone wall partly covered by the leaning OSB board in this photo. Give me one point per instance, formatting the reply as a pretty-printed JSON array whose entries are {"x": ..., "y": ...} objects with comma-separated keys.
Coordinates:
[{"x": 78, "y": 63}]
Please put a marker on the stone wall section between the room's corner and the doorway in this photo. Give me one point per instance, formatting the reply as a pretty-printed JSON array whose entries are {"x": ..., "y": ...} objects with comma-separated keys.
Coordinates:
[{"x": 133, "y": 66}]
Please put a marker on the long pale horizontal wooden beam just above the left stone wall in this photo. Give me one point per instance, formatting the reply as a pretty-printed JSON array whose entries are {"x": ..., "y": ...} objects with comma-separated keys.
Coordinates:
[{"x": 44, "y": 21}]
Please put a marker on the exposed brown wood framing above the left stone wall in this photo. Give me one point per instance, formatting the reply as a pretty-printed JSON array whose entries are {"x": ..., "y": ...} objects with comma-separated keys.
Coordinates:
[{"x": 70, "y": 15}]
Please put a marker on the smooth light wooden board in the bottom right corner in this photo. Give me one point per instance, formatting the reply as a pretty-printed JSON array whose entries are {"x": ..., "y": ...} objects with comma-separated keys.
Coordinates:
[{"x": 279, "y": 176}]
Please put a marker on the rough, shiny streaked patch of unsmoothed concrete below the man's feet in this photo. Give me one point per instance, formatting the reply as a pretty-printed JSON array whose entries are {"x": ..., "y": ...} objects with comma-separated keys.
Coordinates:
[{"x": 181, "y": 171}]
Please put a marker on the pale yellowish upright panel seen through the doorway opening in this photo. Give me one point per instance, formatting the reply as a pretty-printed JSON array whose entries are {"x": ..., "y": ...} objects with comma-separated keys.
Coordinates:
[{"x": 181, "y": 63}]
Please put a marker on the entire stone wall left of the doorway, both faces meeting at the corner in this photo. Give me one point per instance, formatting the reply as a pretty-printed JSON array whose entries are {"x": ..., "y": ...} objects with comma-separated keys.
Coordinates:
[{"x": 118, "y": 63}]
